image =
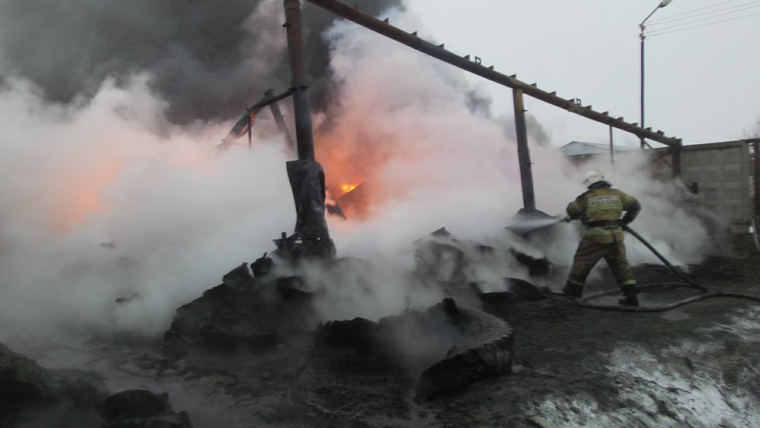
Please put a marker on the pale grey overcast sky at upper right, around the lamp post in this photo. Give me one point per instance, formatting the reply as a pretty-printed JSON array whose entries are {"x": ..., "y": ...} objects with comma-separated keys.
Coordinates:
[{"x": 701, "y": 83}]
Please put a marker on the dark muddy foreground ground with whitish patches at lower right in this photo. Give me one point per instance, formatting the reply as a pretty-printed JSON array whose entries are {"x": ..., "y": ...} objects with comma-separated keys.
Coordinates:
[{"x": 695, "y": 365}]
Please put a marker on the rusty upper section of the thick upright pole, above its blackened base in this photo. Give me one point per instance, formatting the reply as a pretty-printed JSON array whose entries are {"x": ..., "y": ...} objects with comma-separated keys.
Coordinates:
[{"x": 304, "y": 137}]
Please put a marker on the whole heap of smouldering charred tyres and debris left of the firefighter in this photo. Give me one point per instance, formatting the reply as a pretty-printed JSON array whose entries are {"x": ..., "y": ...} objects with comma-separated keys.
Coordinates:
[{"x": 446, "y": 346}]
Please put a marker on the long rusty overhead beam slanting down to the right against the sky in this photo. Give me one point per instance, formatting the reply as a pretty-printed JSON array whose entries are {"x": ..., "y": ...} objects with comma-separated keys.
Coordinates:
[{"x": 411, "y": 40}]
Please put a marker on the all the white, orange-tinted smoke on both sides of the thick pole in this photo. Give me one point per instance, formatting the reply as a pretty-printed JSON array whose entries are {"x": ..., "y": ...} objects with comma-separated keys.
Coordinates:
[{"x": 103, "y": 199}]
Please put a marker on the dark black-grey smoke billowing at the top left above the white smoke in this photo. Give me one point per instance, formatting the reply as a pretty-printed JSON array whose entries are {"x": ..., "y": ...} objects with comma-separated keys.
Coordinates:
[{"x": 207, "y": 59}]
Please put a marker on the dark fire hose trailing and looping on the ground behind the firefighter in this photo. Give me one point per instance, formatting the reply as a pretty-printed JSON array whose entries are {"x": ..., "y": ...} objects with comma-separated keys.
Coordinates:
[{"x": 688, "y": 282}]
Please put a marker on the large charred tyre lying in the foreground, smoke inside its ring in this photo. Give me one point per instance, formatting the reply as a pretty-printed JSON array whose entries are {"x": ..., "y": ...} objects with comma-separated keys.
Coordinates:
[{"x": 446, "y": 345}]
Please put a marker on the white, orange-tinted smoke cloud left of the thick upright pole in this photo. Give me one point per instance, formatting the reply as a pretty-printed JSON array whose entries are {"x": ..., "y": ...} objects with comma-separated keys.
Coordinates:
[{"x": 97, "y": 207}]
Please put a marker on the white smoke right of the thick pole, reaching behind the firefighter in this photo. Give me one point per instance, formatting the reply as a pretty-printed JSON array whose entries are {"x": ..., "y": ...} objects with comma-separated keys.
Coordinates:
[{"x": 431, "y": 162}]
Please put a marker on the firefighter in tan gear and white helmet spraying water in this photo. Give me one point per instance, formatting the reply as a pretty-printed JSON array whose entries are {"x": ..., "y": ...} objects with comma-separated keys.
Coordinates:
[{"x": 599, "y": 209}]
